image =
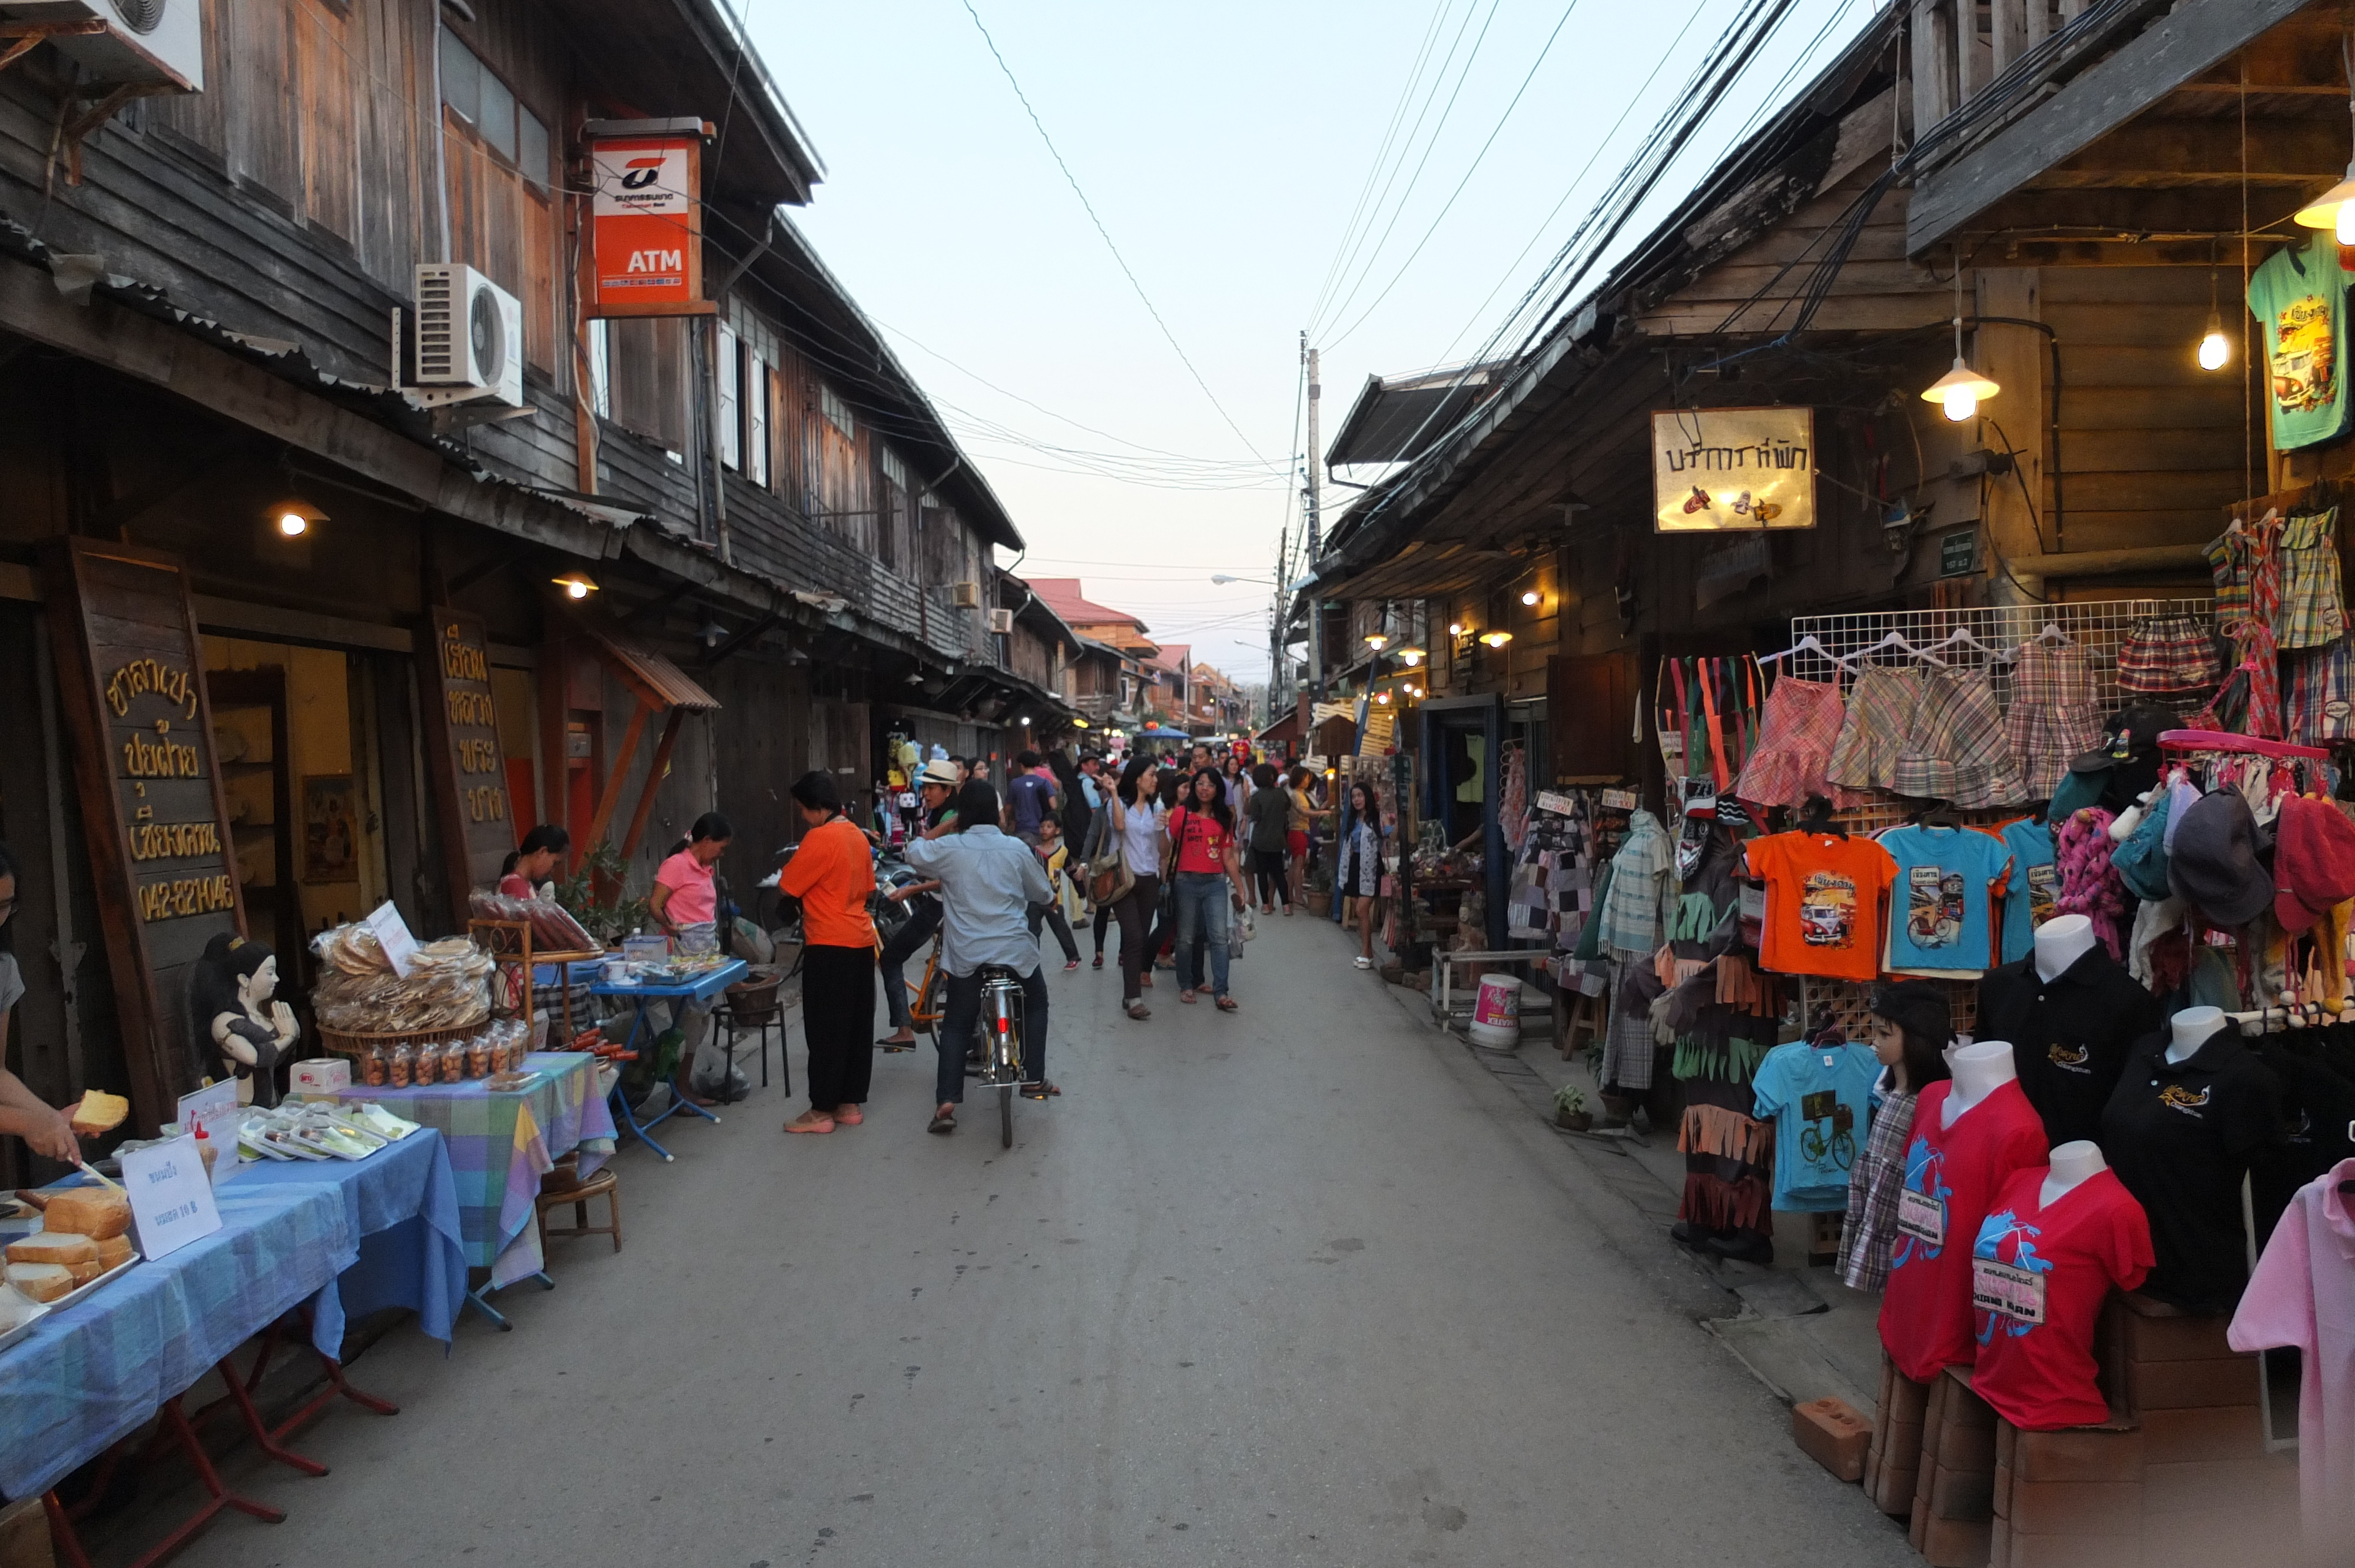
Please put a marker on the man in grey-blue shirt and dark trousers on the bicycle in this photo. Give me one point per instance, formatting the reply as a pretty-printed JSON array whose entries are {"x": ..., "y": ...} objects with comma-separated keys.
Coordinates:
[{"x": 988, "y": 884}]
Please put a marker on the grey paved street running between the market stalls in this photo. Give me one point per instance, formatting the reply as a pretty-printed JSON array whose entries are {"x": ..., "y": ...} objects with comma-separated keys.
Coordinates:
[{"x": 1292, "y": 1287}]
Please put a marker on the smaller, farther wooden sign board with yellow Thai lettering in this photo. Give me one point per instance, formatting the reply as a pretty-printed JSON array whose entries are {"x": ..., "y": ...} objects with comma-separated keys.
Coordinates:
[{"x": 463, "y": 755}]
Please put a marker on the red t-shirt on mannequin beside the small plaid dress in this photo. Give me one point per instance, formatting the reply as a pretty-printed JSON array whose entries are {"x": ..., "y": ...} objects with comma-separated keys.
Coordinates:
[{"x": 1951, "y": 1181}]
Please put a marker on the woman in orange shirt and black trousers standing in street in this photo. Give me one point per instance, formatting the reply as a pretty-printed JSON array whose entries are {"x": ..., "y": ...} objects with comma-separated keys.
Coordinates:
[{"x": 832, "y": 875}]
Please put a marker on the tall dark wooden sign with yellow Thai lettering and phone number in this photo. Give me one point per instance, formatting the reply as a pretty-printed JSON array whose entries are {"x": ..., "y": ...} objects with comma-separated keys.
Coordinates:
[{"x": 133, "y": 679}]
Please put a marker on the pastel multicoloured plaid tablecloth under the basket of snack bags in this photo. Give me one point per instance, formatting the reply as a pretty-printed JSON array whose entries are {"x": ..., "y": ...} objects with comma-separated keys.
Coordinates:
[{"x": 503, "y": 1143}]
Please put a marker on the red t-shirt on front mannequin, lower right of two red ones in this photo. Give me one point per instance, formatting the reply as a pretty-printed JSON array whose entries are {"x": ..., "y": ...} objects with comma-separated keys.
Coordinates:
[{"x": 2038, "y": 1280}]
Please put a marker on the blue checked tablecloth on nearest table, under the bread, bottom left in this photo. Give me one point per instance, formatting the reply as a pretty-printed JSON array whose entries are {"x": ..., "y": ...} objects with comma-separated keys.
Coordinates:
[{"x": 95, "y": 1371}]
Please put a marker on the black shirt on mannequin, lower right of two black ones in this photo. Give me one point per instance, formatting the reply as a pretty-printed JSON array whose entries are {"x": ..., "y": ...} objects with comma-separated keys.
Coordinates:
[{"x": 2180, "y": 1138}]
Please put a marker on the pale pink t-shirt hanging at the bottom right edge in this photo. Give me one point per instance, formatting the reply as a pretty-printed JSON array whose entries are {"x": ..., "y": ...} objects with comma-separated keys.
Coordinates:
[{"x": 2304, "y": 1296}]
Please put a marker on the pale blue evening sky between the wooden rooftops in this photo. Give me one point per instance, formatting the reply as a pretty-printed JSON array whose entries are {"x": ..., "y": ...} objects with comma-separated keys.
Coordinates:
[{"x": 1388, "y": 175}]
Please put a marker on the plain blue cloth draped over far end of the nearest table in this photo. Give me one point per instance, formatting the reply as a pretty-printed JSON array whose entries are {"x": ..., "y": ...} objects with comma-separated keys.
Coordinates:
[{"x": 402, "y": 1204}]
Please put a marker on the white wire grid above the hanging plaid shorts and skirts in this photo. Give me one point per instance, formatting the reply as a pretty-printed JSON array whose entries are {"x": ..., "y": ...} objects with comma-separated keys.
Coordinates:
[{"x": 2097, "y": 625}]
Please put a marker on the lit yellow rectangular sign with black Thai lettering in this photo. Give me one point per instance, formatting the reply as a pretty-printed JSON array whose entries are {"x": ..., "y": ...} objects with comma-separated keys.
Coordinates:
[{"x": 1718, "y": 470}]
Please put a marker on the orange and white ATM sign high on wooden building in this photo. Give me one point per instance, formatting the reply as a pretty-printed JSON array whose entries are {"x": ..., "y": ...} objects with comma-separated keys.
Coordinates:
[{"x": 646, "y": 225}]
